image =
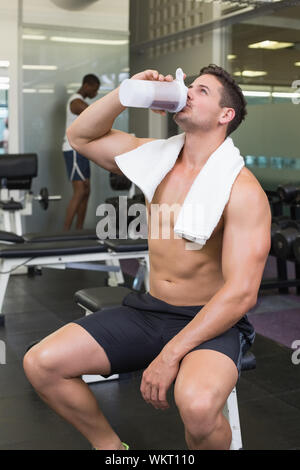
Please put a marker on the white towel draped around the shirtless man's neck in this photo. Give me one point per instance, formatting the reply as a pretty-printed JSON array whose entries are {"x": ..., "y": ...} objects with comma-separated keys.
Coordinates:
[{"x": 203, "y": 206}]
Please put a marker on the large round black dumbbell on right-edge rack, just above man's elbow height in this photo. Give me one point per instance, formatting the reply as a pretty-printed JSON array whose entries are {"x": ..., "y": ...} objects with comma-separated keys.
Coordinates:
[{"x": 284, "y": 238}]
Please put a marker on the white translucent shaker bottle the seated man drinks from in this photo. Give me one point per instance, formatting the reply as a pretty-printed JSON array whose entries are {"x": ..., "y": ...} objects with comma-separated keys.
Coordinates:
[{"x": 168, "y": 96}]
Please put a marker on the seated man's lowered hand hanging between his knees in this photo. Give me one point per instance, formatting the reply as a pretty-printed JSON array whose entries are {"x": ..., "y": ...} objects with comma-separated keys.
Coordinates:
[{"x": 156, "y": 381}]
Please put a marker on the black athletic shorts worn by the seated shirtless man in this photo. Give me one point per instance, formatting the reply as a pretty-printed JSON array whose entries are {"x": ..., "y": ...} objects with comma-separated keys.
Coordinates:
[{"x": 134, "y": 333}]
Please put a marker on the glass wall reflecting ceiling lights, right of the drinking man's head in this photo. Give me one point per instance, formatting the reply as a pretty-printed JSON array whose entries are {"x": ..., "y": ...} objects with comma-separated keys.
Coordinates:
[{"x": 264, "y": 57}]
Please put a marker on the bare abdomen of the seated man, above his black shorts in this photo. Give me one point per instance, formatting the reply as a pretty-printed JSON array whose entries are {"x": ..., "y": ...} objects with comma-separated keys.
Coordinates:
[{"x": 180, "y": 276}]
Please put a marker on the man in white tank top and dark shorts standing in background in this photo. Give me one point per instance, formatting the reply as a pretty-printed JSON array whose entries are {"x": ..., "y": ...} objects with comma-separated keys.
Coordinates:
[{"x": 78, "y": 166}]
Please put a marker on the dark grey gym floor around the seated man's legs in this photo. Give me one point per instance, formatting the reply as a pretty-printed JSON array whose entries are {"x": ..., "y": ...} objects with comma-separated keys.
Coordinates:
[{"x": 269, "y": 398}]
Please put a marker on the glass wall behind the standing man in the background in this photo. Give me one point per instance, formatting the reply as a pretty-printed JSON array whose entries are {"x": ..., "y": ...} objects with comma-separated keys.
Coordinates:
[{"x": 54, "y": 63}]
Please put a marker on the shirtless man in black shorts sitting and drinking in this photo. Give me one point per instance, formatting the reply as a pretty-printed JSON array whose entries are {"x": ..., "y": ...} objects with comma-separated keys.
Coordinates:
[{"x": 193, "y": 325}]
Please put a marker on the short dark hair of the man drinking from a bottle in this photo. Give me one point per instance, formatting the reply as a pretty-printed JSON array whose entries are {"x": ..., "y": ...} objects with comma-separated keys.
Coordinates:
[{"x": 231, "y": 96}]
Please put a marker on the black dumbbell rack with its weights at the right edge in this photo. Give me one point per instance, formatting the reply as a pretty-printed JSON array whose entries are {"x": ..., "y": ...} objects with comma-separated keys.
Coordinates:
[{"x": 285, "y": 237}]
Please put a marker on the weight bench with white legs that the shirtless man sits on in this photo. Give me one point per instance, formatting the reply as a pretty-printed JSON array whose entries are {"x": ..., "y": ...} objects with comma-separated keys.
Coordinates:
[{"x": 94, "y": 299}]
